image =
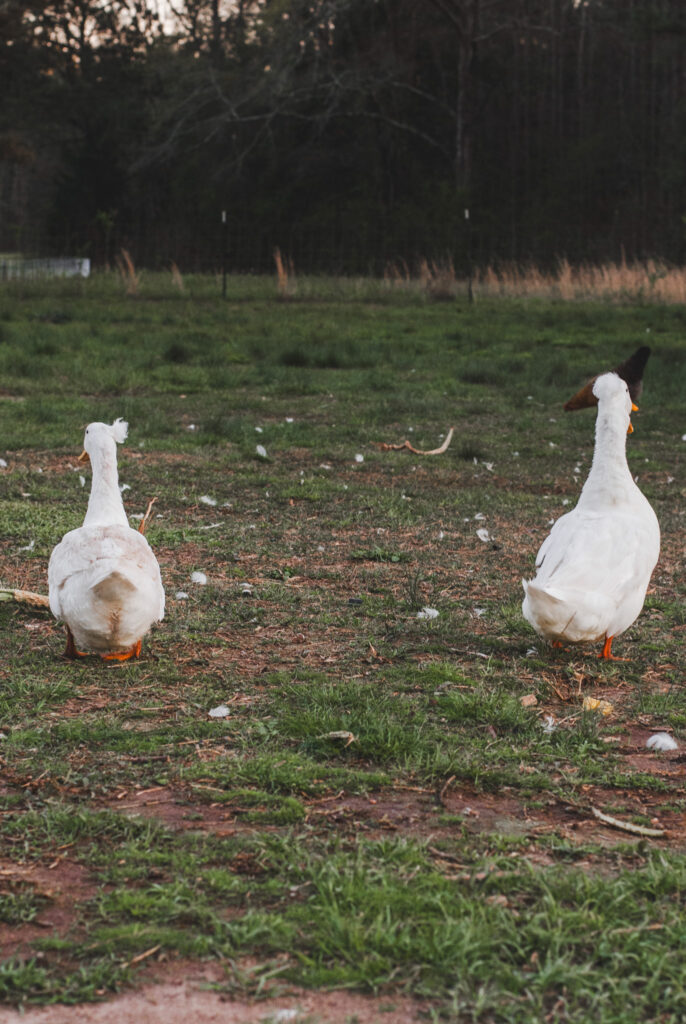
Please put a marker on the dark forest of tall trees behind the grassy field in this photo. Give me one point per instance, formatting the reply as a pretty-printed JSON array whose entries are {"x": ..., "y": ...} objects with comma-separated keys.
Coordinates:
[{"x": 350, "y": 134}]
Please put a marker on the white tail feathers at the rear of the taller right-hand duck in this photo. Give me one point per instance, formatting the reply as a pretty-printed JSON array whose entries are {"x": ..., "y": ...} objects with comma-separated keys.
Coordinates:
[{"x": 574, "y": 616}]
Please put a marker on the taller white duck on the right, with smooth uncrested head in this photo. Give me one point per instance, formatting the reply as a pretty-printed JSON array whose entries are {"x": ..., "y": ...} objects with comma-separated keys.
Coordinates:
[{"x": 594, "y": 568}]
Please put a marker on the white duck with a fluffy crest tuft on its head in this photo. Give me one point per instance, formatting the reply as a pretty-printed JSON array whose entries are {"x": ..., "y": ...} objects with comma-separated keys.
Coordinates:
[{"x": 104, "y": 579}]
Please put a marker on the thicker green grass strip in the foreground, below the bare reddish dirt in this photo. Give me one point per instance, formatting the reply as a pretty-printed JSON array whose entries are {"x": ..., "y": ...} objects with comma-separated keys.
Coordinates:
[{"x": 357, "y": 914}]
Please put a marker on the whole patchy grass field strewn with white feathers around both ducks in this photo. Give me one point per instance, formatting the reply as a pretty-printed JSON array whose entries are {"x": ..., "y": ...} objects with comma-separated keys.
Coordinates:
[{"x": 379, "y": 810}]
